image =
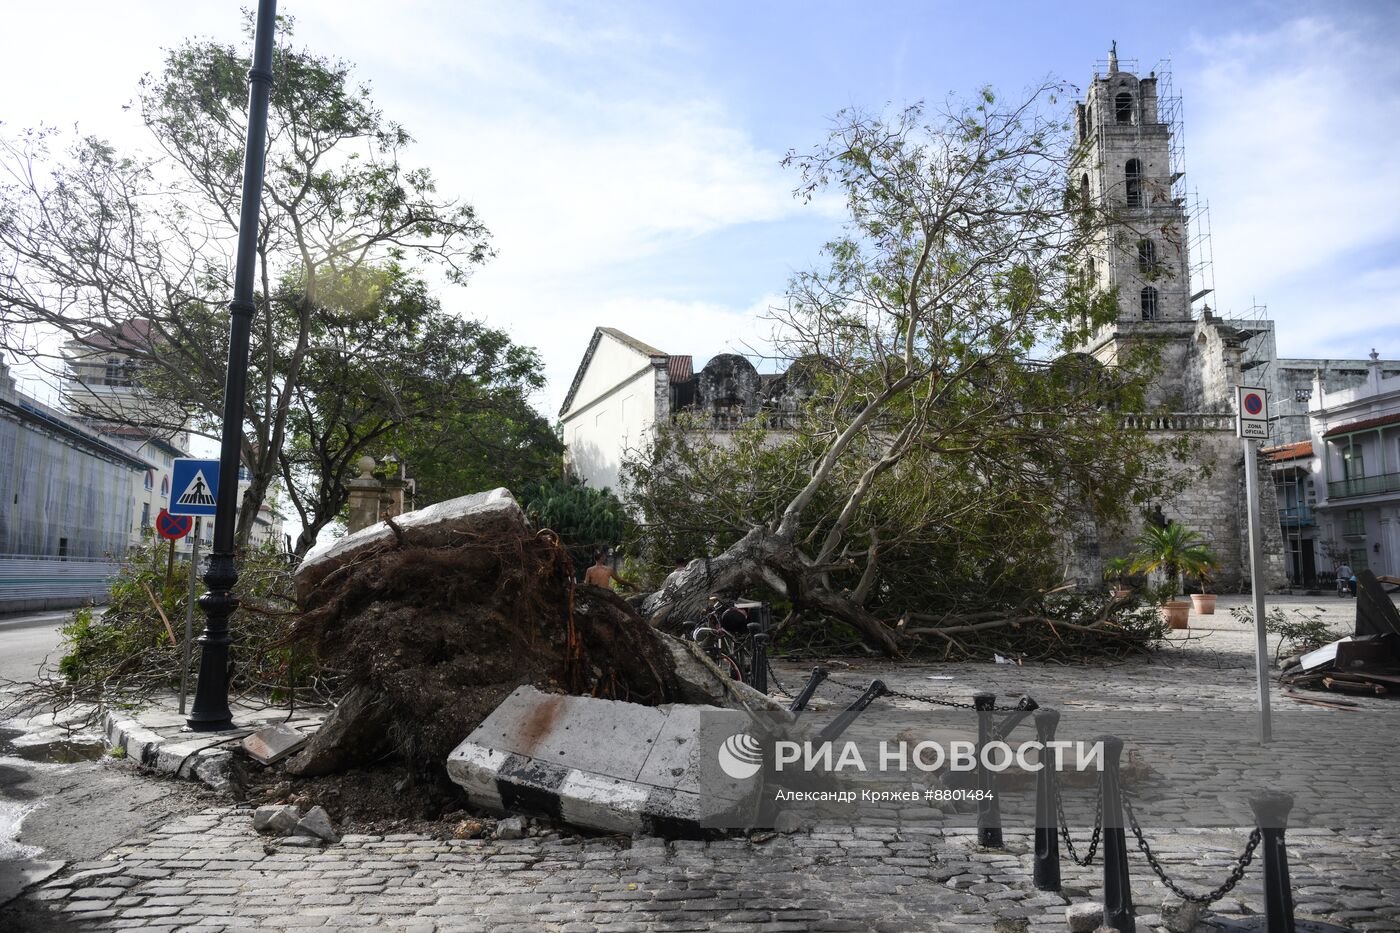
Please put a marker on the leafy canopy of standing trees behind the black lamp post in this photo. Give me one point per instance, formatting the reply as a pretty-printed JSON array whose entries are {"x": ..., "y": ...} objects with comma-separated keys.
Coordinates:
[{"x": 134, "y": 254}]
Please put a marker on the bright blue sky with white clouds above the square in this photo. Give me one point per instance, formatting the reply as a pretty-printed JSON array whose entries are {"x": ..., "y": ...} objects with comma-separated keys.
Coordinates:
[{"x": 626, "y": 155}]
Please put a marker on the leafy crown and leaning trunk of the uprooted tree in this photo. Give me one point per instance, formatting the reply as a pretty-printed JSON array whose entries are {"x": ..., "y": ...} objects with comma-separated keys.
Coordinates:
[{"x": 934, "y": 467}]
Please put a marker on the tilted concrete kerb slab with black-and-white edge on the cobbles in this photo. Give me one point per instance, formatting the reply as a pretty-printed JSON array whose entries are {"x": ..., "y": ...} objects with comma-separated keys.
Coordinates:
[{"x": 600, "y": 764}]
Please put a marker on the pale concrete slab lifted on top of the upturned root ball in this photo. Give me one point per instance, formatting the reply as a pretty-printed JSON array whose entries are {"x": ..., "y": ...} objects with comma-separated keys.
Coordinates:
[{"x": 481, "y": 515}]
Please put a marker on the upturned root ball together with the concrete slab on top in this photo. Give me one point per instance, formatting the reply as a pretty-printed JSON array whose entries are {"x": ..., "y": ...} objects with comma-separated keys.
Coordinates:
[{"x": 435, "y": 627}]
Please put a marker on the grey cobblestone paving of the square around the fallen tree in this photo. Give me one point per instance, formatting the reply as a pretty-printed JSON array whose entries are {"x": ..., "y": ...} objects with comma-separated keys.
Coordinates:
[{"x": 211, "y": 872}]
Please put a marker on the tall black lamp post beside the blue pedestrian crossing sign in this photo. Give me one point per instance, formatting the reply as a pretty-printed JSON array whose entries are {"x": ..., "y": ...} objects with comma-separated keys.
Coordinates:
[{"x": 211, "y": 711}]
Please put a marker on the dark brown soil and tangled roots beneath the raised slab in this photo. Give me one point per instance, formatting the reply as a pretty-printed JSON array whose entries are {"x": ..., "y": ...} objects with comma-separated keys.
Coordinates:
[{"x": 443, "y": 635}]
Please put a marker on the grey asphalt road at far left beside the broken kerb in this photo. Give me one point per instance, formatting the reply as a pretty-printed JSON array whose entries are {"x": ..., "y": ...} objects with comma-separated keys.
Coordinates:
[{"x": 54, "y": 813}]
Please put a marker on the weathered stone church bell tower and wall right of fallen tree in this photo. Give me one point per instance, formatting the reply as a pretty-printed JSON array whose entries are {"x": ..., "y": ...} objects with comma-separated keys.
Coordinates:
[{"x": 1130, "y": 166}]
